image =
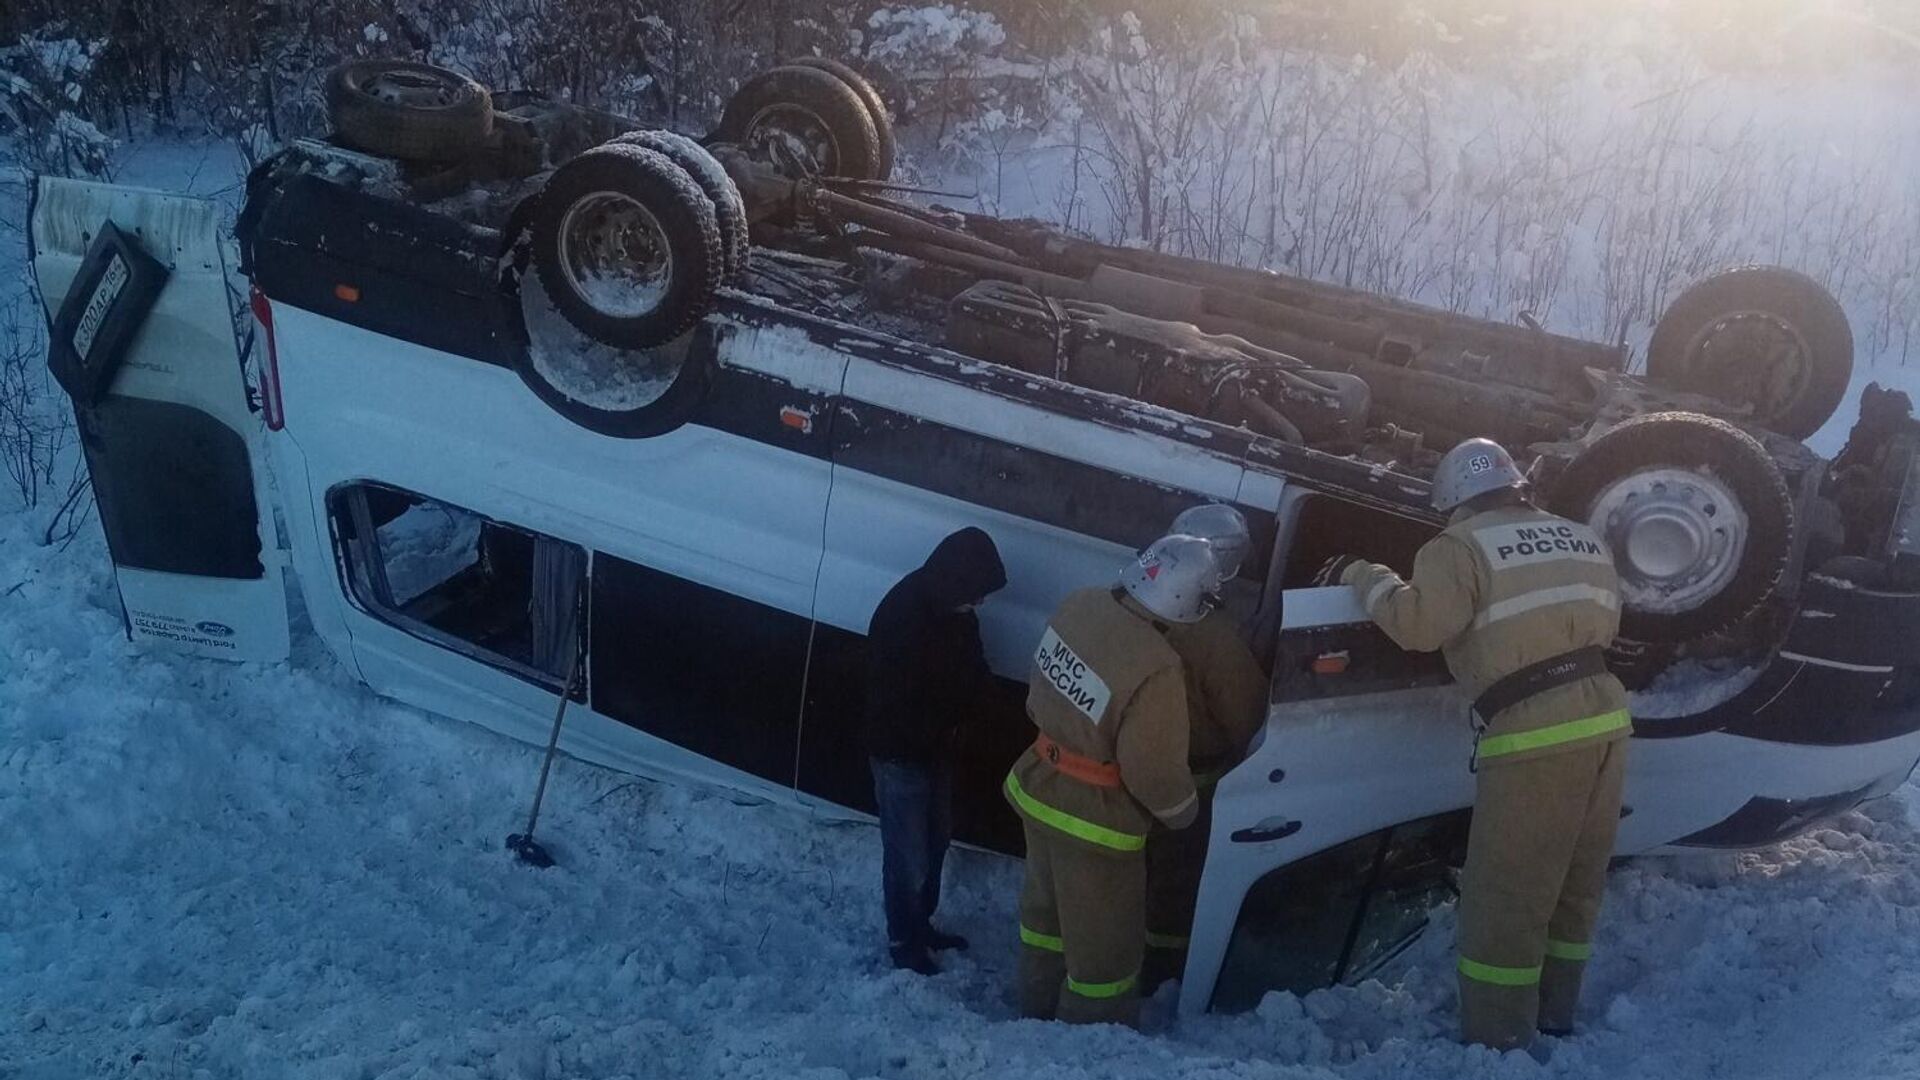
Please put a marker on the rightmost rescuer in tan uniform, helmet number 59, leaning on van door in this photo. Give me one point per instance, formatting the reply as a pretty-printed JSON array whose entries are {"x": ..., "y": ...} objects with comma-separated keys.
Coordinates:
[{"x": 1522, "y": 604}]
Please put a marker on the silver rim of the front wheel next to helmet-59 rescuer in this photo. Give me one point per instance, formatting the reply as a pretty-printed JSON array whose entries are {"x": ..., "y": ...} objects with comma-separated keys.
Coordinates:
[{"x": 1677, "y": 537}]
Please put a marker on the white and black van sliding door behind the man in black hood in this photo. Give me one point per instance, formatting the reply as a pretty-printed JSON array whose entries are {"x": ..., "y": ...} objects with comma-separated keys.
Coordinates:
[{"x": 1068, "y": 503}]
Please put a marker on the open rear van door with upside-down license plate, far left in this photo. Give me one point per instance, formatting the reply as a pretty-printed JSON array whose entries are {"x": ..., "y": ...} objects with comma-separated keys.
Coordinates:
[{"x": 143, "y": 341}]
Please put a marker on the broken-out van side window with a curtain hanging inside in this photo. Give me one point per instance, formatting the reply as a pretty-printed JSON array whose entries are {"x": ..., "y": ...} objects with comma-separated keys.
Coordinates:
[{"x": 492, "y": 591}]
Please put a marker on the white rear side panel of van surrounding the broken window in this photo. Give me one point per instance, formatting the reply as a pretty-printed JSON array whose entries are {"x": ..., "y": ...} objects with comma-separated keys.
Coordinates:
[{"x": 696, "y": 503}]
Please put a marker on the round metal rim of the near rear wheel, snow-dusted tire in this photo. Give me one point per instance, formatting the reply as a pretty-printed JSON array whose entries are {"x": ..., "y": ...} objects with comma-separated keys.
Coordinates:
[{"x": 615, "y": 255}]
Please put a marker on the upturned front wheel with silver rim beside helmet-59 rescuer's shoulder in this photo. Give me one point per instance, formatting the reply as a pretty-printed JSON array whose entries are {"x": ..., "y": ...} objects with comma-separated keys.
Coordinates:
[{"x": 1696, "y": 514}]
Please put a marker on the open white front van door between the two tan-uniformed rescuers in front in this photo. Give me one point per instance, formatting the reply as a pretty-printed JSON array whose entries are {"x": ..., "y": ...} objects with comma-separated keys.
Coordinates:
[{"x": 1333, "y": 839}]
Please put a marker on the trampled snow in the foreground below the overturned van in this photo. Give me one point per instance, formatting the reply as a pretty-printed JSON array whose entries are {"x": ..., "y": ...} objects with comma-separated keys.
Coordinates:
[{"x": 254, "y": 871}]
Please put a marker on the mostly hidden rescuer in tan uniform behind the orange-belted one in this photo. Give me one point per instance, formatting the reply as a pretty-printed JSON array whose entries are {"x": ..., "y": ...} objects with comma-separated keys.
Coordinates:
[{"x": 1226, "y": 704}]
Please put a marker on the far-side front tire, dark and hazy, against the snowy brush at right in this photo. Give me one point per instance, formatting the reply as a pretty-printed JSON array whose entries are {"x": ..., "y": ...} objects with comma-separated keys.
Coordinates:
[{"x": 1762, "y": 337}]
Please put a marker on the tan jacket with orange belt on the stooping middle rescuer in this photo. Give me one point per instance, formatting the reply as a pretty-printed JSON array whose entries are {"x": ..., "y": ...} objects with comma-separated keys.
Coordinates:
[{"x": 1107, "y": 687}]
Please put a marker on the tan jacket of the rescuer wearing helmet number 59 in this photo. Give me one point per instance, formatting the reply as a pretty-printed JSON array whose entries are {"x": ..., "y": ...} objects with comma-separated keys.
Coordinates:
[{"x": 1497, "y": 593}]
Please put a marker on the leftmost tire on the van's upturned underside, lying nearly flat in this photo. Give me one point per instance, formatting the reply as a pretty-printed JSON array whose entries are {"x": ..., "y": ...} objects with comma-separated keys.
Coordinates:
[{"x": 406, "y": 110}]
